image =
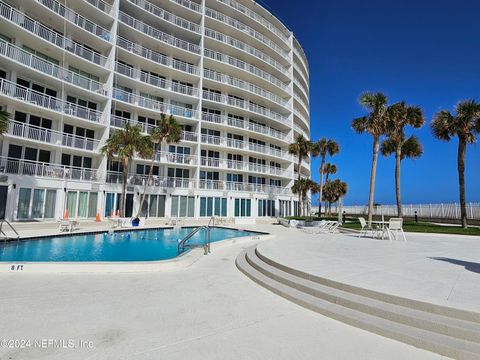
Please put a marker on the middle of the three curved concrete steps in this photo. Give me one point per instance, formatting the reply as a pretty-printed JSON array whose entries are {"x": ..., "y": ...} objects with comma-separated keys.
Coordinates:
[{"x": 453, "y": 327}]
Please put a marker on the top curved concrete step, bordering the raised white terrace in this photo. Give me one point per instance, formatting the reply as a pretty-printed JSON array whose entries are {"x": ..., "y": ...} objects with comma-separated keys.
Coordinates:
[{"x": 393, "y": 299}]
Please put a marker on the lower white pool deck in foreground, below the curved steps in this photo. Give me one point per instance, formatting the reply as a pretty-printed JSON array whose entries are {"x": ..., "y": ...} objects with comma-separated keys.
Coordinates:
[{"x": 208, "y": 311}]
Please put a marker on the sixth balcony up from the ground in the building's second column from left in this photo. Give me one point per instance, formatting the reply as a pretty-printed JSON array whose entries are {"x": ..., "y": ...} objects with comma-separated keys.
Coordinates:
[{"x": 156, "y": 57}]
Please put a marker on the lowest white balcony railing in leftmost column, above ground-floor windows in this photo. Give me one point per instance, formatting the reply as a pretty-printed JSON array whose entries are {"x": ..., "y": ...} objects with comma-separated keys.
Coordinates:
[{"x": 46, "y": 170}]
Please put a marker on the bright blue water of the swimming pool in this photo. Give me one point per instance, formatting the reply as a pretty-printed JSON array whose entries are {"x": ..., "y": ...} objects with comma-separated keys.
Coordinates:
[{"x": 139, "y": 245}]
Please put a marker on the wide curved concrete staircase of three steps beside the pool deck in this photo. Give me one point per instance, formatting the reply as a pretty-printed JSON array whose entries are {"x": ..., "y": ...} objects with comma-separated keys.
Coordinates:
[{"x": 447, "y": 331}]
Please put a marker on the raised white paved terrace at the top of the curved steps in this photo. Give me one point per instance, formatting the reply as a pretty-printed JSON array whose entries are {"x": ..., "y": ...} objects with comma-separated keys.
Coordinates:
[{"x": 443, "y": 269}]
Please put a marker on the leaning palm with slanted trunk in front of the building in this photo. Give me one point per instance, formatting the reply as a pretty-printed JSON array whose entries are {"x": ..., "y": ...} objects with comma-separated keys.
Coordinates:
[{"x": 168, "y": 129}]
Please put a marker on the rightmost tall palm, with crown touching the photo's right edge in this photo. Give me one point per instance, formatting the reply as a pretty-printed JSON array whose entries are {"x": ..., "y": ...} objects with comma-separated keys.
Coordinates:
[{"x": 465, "y": 124}]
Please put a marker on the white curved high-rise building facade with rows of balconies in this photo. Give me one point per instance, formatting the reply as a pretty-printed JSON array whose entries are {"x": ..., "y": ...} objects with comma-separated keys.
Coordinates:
[{"x": 73, "y": 71}]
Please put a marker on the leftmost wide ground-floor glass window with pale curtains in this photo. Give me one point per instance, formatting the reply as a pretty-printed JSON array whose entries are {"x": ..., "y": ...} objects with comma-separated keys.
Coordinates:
[{"x": 36, "y": 203}]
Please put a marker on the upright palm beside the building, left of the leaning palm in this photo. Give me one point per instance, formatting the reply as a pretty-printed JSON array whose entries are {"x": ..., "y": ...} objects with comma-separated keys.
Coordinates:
[{"x": 122, "y": 145}]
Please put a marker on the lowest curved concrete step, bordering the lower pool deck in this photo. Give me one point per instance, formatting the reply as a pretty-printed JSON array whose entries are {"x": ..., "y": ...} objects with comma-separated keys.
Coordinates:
[{"x": 445, "y": 345}]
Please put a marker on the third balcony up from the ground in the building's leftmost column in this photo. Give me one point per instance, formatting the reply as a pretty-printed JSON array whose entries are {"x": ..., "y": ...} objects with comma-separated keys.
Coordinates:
[{"x": 28, "y": 96}]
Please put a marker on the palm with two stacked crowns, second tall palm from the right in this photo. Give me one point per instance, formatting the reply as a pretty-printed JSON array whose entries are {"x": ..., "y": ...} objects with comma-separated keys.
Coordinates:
[{"x": 400, "y": 115}]
